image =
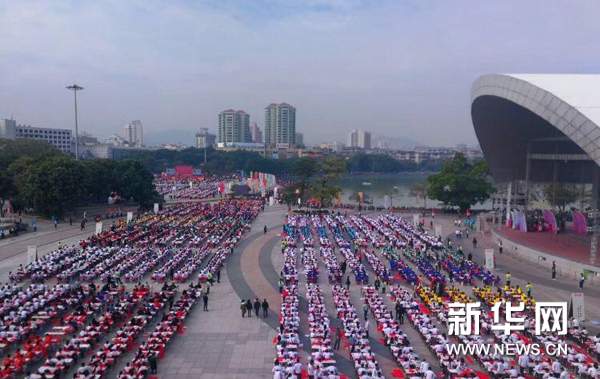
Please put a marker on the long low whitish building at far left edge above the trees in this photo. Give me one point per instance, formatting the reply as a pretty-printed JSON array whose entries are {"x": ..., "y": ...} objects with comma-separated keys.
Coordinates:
[{"x": 60, "y": 138}]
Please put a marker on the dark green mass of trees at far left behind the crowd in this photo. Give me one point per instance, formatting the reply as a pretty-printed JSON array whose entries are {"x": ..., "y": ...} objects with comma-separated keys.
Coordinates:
[{"x": 37, "y": 176}]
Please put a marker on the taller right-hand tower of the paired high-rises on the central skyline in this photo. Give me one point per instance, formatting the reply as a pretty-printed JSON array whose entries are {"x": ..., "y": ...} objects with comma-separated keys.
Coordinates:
[{"x": 280, "y": 124}]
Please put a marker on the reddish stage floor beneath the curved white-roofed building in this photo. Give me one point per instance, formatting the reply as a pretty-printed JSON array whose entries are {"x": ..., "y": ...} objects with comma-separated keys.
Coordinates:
[{"x": 566, "y": 245}]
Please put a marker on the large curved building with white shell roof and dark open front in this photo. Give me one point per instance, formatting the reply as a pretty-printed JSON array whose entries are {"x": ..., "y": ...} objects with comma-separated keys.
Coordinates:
[{"x": 539, "y": 128}]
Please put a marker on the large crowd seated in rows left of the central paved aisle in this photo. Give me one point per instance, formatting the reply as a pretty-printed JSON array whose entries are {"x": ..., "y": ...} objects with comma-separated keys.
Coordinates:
[{"x": 52, "y": 328}]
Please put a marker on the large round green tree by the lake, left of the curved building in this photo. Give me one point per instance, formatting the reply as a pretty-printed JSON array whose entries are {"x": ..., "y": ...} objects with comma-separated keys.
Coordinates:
[{"x": 460, "y": 183}]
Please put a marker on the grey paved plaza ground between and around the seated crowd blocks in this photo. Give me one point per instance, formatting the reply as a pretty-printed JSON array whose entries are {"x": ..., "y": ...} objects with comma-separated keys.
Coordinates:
[{"x": 221, "y": 344}]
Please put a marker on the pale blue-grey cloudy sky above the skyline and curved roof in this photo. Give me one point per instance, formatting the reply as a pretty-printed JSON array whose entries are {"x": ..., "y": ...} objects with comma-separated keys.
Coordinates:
[{"x": 399, "y": 68}]
